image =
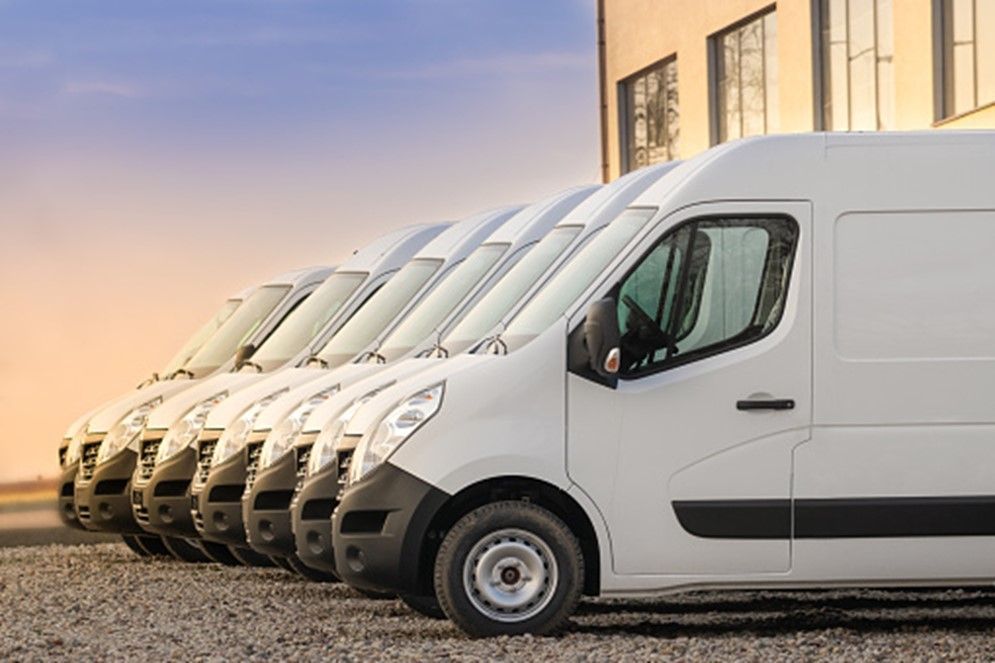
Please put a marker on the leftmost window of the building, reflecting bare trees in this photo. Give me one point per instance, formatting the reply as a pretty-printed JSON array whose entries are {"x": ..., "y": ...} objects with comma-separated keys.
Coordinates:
[{"x": 651, "y": 122}]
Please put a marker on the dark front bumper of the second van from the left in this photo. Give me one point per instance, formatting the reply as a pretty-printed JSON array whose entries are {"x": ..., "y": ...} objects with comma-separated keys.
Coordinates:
[{"x": 102, "y": 493}]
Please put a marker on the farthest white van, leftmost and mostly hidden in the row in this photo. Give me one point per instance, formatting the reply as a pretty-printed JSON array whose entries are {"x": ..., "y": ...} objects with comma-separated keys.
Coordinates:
[{"x": 69, "y": 449}]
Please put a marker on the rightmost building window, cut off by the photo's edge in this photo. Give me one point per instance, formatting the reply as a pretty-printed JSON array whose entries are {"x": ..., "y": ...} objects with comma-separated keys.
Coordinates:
[{"x": 968, "y": 55}]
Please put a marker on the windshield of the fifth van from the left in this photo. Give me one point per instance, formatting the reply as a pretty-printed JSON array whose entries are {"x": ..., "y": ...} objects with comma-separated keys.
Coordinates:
[{"x": 438, "y": 304}]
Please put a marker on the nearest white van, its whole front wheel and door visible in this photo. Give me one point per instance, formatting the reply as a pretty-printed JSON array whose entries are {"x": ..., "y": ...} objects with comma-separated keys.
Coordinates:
[{"x": 773, "y": 370}]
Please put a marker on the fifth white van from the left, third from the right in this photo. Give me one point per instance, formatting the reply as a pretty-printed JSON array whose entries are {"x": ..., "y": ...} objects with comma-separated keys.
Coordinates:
[{"x": 270, "y": 485}]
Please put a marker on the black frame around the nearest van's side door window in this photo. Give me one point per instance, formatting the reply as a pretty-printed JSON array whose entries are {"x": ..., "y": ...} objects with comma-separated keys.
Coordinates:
[{"x": 721, "y": 347}]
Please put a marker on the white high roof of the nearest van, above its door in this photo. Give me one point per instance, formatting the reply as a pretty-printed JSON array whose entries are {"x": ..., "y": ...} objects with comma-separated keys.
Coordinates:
[{"x": 902, "y": 170}]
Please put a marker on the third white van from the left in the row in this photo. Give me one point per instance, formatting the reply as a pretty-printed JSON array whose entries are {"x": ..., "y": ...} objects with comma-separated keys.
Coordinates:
[{"x": 172, "y": 426}]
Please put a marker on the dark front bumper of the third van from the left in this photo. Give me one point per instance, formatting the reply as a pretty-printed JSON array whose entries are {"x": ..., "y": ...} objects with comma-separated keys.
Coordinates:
[{"x": 160, "y": 493}]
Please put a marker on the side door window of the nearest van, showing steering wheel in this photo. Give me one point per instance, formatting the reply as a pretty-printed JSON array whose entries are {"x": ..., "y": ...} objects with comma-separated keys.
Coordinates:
[{"x": 706, "y": 287}]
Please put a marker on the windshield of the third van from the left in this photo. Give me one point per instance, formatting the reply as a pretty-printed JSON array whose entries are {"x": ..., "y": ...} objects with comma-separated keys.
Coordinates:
[{"x": 304, "y": 324}]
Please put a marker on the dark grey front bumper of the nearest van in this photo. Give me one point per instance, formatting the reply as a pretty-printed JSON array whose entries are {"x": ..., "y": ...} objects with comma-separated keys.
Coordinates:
[{"x": 379, "y": 527}]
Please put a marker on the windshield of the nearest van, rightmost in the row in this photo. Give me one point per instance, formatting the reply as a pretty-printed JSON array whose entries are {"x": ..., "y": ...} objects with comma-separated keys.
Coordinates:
[{"x": 576, "y": 276}]
